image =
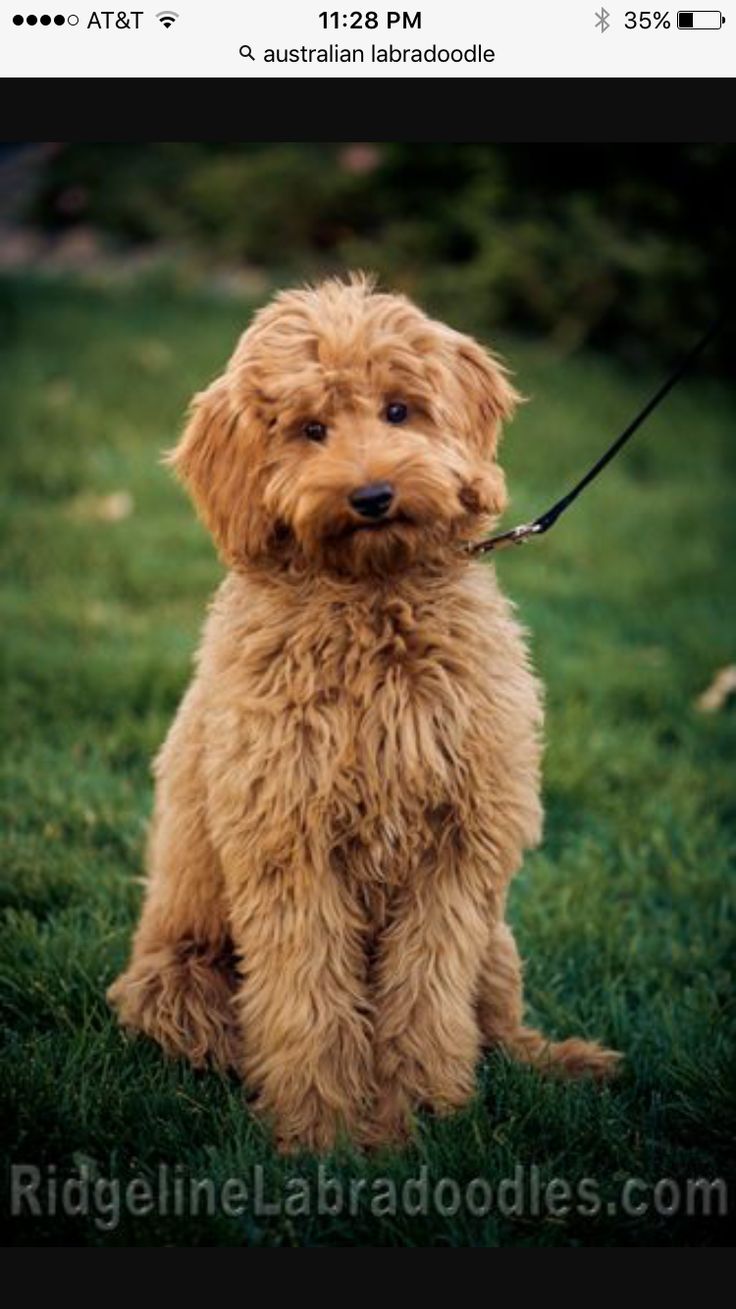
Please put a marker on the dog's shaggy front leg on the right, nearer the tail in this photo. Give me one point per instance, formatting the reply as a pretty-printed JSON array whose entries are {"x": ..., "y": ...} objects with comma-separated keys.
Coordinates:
[{"x": 428, "y": 1040}]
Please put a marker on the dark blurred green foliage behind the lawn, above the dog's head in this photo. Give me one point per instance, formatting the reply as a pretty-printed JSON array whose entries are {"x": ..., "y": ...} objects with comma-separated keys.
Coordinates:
[{"x": 621, "y": 247}]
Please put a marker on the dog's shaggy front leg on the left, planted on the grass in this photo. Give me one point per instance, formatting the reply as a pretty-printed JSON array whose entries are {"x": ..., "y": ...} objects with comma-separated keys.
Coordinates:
[{"x": 304, "y": 1015}]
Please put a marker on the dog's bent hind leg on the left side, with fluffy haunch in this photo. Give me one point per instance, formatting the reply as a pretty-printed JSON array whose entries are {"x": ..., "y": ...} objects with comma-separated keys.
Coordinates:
[{"x": 180, "y": 982}]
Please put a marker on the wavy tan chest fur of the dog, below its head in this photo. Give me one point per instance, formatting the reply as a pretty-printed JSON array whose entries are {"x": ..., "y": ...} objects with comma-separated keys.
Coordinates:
[{"x": 358, "y": 726}]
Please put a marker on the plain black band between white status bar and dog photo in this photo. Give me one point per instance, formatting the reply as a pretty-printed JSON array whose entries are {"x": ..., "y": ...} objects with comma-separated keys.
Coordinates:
[{"x": 485, "y": 109}]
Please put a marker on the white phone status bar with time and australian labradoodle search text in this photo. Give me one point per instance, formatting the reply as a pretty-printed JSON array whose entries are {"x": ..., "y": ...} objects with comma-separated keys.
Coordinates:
[{"x": 530, "y": 39}]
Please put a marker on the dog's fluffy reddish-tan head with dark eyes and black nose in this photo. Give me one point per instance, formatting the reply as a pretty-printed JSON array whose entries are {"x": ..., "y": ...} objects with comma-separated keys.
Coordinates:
[{"x": 349, "y": 431}]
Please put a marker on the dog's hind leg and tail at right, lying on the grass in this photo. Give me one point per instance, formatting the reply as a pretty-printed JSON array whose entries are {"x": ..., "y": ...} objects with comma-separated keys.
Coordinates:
[{"x": 501, "y": 1005}]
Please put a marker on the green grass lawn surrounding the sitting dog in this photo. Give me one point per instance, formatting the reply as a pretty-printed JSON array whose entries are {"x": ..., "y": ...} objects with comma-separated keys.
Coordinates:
[{"x": 624, "y": 916}]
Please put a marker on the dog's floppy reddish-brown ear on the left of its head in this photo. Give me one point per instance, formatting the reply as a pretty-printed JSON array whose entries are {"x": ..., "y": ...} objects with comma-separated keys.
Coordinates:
[{"x": 215, "y": 460}]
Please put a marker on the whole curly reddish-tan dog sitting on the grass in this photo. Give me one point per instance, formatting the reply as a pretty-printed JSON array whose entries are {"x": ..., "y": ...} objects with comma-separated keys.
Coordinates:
[{"x": 354, "y": 773}]
